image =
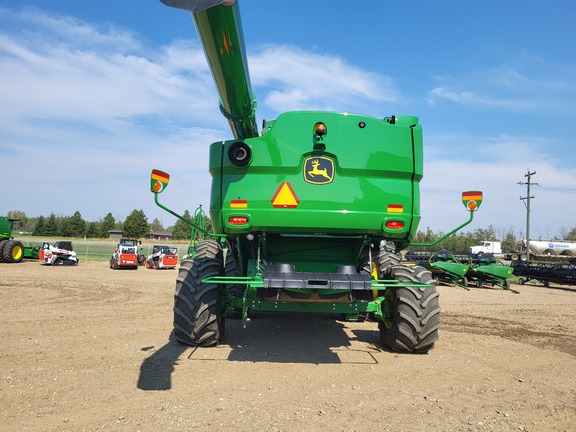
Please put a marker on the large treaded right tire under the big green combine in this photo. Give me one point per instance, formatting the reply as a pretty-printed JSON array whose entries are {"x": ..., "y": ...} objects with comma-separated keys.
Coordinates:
[{"x": 416, "y": 318}]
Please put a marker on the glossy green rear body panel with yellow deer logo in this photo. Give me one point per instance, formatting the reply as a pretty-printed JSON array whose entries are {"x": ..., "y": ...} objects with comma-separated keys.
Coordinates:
[{"x": 376, "y": 168}]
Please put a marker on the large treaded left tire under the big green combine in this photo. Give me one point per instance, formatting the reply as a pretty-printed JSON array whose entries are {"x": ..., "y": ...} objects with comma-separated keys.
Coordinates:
[{"x": 196, "y": 305}]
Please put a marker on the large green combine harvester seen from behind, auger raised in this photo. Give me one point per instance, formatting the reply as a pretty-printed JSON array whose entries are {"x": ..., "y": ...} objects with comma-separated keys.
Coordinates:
[{"x": 309, "y": 216}]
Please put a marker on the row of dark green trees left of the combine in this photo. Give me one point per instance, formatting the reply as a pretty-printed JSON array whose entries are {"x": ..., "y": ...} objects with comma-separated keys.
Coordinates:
[{"x": 135, "y": 225}]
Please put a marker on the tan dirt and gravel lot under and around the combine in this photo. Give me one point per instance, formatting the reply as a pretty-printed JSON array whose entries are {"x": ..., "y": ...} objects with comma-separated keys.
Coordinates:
[{"x": 87, "y": 348}]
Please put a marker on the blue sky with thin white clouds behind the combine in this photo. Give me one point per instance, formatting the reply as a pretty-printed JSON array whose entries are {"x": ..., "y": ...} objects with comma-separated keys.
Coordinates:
[{"x": 96, "y": 94}]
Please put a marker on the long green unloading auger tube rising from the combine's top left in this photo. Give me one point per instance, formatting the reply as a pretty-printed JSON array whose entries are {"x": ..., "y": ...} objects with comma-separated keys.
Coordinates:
[{"x": 220, "y": 30}]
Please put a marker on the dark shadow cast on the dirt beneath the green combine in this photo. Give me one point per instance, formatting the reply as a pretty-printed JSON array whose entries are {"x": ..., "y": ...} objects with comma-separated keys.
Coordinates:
[{"x": 270, "y": 337}]
